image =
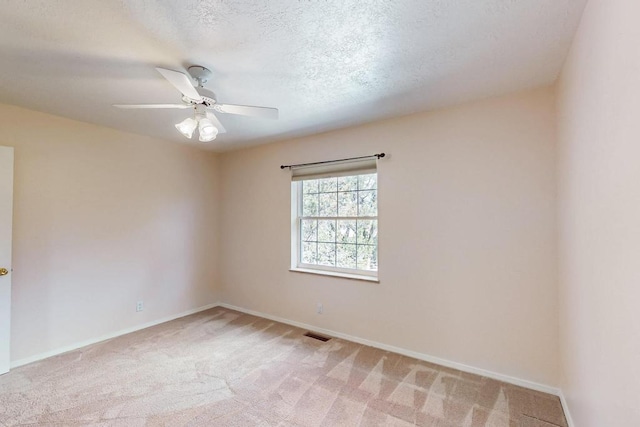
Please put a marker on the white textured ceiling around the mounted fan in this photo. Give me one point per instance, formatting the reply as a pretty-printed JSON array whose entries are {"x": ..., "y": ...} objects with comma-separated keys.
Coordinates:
[{"x": 324, "y": 64}]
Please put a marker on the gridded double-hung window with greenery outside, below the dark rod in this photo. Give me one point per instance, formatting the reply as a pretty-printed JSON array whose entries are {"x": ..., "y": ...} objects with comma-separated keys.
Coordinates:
[{"x": 335, "y": 222}]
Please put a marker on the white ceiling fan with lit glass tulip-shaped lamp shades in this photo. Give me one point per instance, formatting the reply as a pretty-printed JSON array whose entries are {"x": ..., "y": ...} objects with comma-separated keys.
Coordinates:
[{"x": 203, "y": 102}]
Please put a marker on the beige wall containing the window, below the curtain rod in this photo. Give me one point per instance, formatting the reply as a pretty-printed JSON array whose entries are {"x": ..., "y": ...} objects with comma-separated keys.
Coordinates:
[{"x": 467, "y": 236}]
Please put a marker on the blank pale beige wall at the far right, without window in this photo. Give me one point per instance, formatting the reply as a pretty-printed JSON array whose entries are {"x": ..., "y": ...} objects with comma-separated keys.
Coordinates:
[{"x": 599, "y": 184}]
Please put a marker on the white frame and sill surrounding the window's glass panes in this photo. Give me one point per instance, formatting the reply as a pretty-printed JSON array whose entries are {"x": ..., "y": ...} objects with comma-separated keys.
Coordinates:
[{"x": 296, "y": 237}]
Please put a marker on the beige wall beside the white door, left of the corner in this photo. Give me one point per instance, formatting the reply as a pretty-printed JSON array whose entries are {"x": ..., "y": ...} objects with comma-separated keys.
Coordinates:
[{"x": 103, "y": 219}]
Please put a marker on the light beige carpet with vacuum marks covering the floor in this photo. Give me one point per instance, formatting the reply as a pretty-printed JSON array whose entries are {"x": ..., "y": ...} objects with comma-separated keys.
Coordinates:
[{"x": 224, "y": 368}]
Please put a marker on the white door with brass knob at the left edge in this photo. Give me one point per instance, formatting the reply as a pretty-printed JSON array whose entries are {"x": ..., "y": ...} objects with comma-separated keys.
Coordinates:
[{"x": 6, "y": 214}]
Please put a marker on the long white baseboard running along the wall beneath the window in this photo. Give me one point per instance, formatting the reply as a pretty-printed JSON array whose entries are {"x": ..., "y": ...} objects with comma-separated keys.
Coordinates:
[{"x": 420, "y": 356}]
